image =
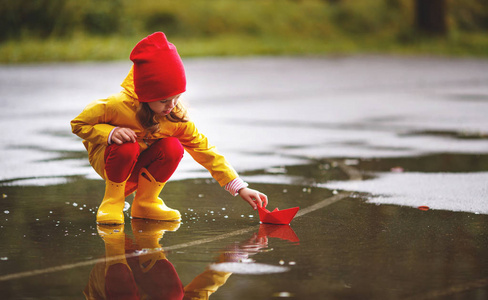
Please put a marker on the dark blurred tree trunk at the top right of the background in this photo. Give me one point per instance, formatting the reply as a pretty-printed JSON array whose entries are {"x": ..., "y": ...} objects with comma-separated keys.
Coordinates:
[{"x": 430, "y": 16}]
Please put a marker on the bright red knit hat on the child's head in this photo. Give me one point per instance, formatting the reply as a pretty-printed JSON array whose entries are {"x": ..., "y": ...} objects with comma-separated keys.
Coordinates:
[{"x": 158, "y": 69}]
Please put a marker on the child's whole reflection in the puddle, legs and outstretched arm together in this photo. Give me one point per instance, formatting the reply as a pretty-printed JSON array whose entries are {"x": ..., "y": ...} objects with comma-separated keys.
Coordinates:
[{"x": 139, "y": 269}]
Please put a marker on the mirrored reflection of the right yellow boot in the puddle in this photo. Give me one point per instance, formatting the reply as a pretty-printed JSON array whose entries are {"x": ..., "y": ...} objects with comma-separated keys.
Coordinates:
[{"x": 147, "y": 234}]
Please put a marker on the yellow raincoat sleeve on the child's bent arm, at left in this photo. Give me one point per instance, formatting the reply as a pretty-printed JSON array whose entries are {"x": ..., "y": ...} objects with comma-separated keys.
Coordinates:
[{"x": 92, "y": 124}]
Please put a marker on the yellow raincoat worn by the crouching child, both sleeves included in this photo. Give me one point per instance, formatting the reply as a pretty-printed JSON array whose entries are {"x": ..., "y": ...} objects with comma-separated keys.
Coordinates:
[{"x": 97, "y": 120}]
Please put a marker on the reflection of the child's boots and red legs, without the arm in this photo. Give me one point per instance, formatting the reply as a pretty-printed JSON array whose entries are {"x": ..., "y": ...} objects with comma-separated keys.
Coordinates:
[{"x": 125, "y": 275}]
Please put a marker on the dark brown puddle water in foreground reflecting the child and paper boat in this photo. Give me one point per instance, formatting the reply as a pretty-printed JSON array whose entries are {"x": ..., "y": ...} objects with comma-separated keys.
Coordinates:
[{"x": 52, "y": 248}]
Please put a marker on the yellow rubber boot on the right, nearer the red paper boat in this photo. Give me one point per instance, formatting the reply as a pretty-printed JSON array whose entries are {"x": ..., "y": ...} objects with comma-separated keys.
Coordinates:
[{"x": 147, "y": 204}]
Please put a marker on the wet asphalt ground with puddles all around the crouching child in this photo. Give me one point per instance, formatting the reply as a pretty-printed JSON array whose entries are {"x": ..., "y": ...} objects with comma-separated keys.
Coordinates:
[{"x": 385, "y": 156}]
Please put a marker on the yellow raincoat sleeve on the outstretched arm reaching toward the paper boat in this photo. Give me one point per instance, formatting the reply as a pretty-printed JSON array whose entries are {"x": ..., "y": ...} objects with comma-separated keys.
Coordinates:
[{"x": 197, "y": 145}]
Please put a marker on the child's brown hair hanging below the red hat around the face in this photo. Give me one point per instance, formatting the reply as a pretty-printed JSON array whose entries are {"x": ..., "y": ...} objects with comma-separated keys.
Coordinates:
[{"x": 150, "y": 121}]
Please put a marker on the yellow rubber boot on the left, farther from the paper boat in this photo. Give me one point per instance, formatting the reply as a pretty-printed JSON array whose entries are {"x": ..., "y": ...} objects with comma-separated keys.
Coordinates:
[{"x": 111, "y": 209}]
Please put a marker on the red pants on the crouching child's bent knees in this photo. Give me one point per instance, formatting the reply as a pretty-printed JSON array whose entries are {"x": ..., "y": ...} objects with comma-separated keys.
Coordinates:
[{"x": 161, "y": 160}]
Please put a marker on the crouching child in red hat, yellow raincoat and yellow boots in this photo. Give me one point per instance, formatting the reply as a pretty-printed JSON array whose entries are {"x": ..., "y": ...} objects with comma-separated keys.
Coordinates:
[{"x": 135, "y": 139}]
